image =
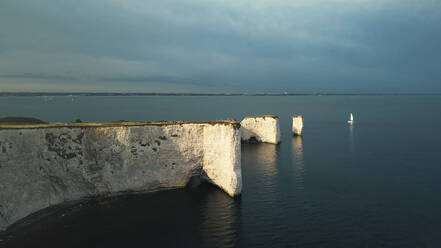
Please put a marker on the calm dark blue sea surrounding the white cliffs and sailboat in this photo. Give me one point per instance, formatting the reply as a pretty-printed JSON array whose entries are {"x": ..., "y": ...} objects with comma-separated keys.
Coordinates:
[{"x": 376, "y": 183}]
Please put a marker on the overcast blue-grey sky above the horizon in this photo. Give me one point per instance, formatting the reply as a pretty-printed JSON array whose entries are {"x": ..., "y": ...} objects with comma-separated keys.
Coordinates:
[{"x": 213, "y": 46}]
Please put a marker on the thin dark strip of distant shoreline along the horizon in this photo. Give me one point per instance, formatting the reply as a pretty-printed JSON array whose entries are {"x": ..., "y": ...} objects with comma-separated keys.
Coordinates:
[{"x": 206, "y": 94}]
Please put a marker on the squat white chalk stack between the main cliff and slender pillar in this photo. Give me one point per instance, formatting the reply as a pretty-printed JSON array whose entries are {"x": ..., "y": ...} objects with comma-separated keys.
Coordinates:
[{"x": 263, "y": 128}]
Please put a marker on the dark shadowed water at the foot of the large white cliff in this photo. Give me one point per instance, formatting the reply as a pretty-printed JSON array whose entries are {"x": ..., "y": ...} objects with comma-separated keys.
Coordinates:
[{"x": 176, "y": 218}]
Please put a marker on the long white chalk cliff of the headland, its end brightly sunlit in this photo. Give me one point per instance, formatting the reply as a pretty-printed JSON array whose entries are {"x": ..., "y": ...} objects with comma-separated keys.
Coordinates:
[{"x": 41, "y": 167}]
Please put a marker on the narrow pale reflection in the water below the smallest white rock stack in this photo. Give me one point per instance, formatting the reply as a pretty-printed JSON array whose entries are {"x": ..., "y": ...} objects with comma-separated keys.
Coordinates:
[{"x": 298, "y": 161}]
